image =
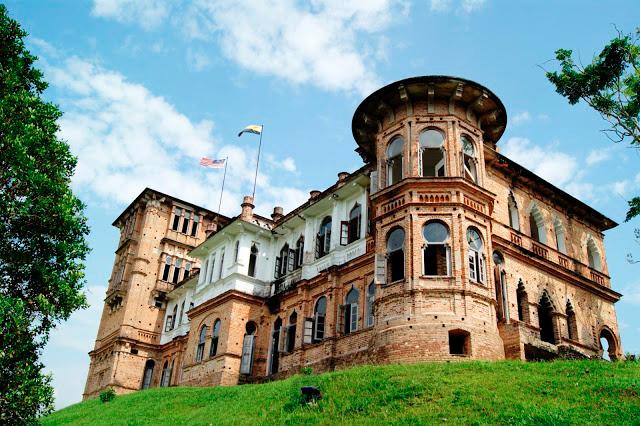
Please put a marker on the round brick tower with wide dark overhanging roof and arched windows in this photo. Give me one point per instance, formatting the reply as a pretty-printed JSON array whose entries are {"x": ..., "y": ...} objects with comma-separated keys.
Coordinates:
[{"x": 425, "y": 138}]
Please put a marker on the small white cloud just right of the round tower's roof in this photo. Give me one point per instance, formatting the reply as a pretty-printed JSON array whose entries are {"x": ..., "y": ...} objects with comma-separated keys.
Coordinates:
[{"x": 556, "y": 167}]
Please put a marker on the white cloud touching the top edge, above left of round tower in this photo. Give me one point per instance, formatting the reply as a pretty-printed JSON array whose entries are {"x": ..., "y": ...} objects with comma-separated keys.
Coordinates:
[{"x": 322, "y": 43}]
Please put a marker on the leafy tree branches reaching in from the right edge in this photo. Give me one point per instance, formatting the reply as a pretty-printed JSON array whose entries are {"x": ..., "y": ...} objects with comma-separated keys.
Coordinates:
[{"x": 610, "y": 84}]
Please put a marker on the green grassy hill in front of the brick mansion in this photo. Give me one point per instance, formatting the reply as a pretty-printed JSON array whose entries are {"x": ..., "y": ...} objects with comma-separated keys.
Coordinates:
[{"x": 553, "y": 393}]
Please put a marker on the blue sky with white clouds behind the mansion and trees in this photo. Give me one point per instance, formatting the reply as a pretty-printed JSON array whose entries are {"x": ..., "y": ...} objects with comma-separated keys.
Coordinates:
[{"x": 148, "y": 85}]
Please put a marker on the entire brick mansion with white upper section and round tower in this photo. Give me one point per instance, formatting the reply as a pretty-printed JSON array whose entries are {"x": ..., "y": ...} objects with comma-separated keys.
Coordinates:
[{"x": 438, "y": 248}]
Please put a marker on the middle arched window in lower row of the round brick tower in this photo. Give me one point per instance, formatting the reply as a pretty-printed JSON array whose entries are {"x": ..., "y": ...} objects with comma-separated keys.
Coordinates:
[{"x": 436, "y": 255}]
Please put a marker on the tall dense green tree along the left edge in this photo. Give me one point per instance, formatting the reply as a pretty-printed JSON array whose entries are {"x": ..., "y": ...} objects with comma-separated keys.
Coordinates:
[{"x": 42, "y": 230}]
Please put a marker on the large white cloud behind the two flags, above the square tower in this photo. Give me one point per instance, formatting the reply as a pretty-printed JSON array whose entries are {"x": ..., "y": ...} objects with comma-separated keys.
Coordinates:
[{"x": 127, "y": 138}]
